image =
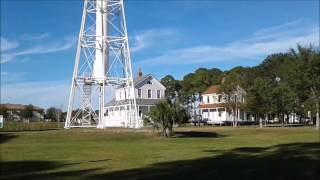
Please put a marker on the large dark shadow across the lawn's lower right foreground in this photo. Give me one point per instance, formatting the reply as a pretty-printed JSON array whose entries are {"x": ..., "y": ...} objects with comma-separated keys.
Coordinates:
[{"x": 287, "y": 161}]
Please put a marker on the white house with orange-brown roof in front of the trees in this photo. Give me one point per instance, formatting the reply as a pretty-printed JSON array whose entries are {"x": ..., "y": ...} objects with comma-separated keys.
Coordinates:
[{"x": 214, "y": 107}]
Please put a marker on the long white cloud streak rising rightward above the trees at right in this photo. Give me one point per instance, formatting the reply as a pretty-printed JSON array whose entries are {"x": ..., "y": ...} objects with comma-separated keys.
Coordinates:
[{"x": 261, "y": 43}]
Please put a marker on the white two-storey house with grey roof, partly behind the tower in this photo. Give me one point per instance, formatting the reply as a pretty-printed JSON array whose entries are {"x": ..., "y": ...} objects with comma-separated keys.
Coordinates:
[{"x": 148, "y": 91}]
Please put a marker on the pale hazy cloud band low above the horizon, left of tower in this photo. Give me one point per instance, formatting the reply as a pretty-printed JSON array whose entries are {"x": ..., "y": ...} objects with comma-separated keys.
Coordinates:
[{"x": 43, "y": 94}]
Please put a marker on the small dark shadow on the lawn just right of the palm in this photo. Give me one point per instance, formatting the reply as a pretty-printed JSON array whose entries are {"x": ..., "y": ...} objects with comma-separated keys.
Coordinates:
[{"x": 196, "y": 134}]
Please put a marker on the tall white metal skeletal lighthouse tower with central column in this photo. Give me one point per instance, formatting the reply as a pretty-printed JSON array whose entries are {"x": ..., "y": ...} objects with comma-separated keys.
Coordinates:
[{"x": 102, "y": 64}]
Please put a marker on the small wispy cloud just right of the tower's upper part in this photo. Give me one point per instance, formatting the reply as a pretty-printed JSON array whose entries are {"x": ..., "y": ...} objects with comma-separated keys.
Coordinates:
[{"x": 150, "y": 38}]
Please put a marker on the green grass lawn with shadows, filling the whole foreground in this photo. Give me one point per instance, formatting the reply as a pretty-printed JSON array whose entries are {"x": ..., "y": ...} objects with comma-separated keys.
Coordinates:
[{"x": 193, "y": 153}]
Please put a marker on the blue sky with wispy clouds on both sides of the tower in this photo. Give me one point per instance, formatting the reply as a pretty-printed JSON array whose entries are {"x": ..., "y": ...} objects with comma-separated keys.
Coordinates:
[{"x": 38, "y": 39}]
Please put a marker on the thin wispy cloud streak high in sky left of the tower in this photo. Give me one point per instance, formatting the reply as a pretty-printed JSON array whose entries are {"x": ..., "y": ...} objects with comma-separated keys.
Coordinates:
[{"x": 39, "y": 49}]
